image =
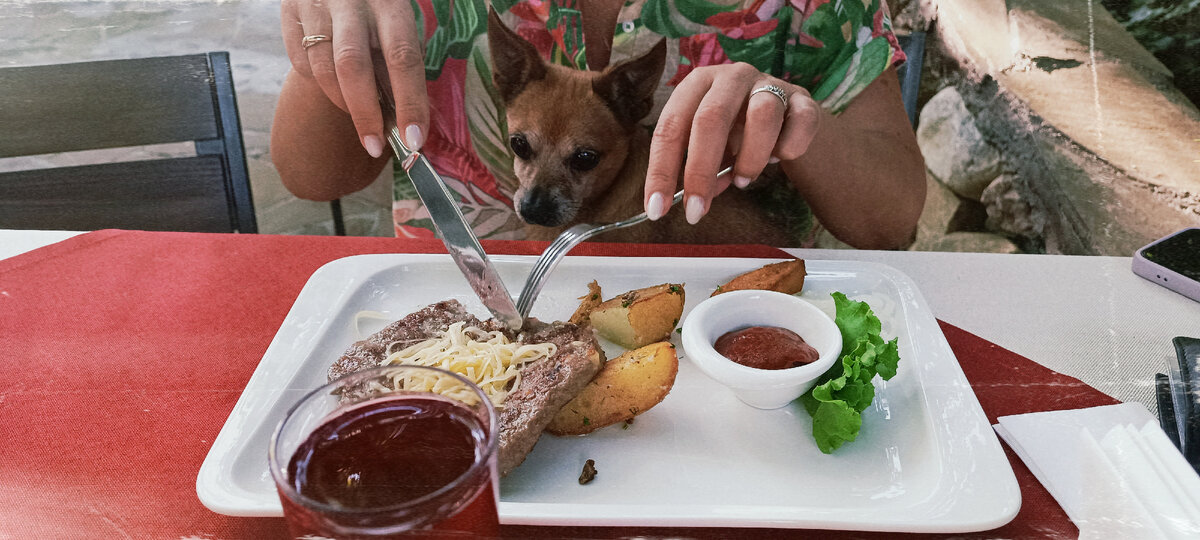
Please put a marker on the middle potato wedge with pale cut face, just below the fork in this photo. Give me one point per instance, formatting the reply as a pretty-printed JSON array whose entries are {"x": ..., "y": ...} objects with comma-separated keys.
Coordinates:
[{"x": 640, "y": 317}]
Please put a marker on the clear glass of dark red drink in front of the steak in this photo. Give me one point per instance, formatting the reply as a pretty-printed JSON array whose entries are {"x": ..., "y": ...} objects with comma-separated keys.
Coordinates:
[{"x": 395, "y": 452}]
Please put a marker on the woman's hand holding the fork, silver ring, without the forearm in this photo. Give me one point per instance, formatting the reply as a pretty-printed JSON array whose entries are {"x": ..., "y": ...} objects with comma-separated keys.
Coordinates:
[{"x": 712, "y": 115}]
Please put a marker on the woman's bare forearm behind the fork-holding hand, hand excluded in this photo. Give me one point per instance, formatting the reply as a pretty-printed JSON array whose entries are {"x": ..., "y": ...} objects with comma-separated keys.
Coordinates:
[{"x": 863, "y": 173}]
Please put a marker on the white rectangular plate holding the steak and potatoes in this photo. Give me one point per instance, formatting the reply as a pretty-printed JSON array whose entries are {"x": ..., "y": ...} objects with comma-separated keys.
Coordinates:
[{"x": 926, "y": 460}]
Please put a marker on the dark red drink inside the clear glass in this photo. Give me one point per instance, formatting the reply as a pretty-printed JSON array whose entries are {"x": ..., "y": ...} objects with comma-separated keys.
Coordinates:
[{"x": 391, "y": 453}]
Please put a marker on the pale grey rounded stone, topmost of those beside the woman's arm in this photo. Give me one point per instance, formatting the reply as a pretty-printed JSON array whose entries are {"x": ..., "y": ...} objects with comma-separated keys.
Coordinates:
[{"x": 955, "y": 149}]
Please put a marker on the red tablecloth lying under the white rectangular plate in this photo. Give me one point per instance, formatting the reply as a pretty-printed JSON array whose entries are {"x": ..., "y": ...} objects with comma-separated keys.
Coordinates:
[{"x": 123, "y": 353}]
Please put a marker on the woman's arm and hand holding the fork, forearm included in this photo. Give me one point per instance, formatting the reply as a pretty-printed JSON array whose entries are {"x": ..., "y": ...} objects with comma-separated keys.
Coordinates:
[{"x": 861, "y": 172}]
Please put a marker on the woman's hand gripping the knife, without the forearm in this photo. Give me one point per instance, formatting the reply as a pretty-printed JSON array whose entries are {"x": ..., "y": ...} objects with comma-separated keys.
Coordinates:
[{"x": 344, "y": 65}]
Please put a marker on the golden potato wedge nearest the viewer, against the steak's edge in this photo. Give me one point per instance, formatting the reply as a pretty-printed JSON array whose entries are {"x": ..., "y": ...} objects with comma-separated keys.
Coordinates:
[{"x": 626, "y": 387}]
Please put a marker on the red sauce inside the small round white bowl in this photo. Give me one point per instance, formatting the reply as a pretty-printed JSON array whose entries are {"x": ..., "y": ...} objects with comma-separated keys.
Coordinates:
[{"x": 766, "y": 349}]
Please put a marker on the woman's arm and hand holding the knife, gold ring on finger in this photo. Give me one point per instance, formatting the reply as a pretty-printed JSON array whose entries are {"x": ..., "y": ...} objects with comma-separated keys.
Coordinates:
[{"x": 328, "y": 123}]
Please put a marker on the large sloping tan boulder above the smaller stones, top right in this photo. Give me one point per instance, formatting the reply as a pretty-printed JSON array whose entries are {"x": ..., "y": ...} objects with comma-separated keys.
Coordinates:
[{"x": 1091, "y": 123}]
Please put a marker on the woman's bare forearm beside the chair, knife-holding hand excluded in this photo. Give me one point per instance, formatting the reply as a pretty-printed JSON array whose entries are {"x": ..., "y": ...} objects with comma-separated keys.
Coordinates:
[{"x": 315, "y": 145}]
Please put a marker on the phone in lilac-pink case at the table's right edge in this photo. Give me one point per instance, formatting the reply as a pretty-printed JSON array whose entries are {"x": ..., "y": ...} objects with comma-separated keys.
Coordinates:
[{"x": 1173, "y": 262}]
